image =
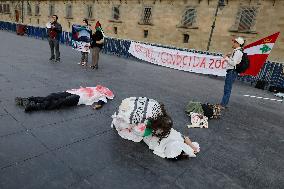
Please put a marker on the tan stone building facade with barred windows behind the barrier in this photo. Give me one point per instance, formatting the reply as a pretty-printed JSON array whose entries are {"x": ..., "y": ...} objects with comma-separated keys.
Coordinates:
[{"x": 180, "y": 23}]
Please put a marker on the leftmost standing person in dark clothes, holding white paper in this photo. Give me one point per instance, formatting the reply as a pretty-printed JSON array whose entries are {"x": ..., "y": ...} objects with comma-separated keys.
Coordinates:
[{"x": 54, "y": 30}]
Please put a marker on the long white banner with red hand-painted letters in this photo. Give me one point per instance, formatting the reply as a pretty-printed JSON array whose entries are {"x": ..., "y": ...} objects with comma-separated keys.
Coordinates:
[{"x": 180, "y": 60}]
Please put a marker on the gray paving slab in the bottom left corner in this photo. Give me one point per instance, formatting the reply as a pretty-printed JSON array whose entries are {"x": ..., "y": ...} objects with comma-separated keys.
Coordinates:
[{"x": 41, "y": 172}]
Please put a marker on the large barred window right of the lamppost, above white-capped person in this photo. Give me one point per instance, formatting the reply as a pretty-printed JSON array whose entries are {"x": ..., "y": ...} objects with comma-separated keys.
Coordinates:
[{"x": 245, "y": 19}]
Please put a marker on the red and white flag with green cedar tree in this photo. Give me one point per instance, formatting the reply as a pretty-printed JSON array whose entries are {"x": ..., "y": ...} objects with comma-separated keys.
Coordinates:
[{"x": 258, "y": 52}]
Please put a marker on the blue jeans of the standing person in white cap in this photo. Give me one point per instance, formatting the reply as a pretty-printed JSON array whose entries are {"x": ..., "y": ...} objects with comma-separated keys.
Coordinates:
[{"x": 230, "y": 78}]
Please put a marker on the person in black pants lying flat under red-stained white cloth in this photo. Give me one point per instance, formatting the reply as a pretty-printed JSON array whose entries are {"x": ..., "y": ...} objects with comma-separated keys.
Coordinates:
[{"x": 95, "y": 96}]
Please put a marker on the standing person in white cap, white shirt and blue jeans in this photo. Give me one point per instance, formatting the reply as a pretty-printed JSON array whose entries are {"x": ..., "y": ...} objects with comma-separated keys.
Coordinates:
[{"x": 232, "y": 60}]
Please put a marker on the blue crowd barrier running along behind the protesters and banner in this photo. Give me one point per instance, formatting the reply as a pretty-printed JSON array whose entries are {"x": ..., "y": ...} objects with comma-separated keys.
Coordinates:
[{"x": 272, "y": 72}]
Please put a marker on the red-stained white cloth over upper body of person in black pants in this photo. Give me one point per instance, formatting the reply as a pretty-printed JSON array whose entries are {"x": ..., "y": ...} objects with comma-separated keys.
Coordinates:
[{"x": 90, "y": 95}]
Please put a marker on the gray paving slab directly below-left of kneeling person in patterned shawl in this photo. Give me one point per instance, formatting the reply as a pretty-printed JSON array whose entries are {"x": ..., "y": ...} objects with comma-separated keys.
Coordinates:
[{"x": 91, "y": 156}]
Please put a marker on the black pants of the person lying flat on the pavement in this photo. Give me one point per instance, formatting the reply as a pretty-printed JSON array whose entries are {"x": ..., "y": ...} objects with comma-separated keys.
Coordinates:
[{"x": 52, "y": 101}]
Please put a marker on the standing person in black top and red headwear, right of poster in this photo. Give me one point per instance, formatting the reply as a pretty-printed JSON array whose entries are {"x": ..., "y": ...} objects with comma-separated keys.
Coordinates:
[{"x": 97, "y": 45}]
